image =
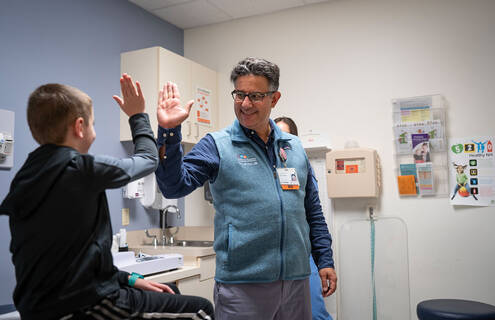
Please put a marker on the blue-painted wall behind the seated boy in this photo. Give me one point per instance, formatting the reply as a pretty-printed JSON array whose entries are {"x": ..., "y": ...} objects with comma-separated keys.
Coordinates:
[{"x": 76, "y": 43}]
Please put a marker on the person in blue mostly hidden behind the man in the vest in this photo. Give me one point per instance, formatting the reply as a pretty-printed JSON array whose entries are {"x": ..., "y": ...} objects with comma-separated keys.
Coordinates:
[{"x": 318, "y": 309}]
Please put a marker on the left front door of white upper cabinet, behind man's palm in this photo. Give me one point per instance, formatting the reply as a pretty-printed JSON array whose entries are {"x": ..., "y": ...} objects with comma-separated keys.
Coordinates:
[{"x": 177, "y": 69}]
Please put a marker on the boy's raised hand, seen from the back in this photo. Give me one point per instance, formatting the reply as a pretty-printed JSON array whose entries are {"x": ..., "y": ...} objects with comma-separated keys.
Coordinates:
[{"x": 132, "y": 101}]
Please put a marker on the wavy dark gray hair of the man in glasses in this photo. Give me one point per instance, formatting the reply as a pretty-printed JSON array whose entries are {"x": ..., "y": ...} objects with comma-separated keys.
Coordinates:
[{"x": 257, "y": 67}]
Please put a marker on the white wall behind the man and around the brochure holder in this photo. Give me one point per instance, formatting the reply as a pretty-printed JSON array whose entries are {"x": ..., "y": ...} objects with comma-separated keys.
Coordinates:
[{"x": 341, "y": 64}]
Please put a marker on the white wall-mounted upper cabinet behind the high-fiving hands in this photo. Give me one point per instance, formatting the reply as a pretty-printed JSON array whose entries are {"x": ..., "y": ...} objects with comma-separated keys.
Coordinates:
[{"x": 153, "y": 67}]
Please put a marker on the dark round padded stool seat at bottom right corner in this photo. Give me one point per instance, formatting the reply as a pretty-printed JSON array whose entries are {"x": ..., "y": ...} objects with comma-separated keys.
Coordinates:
[{"x": 446, "y": 309}]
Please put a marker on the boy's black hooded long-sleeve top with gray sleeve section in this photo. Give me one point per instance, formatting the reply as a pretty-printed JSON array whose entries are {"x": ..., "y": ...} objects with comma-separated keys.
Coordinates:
[{"x": 60, "y": 224}]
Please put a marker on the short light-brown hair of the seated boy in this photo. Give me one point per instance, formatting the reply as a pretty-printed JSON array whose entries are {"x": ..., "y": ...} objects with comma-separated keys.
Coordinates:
[{"x": 52, "y": 108}]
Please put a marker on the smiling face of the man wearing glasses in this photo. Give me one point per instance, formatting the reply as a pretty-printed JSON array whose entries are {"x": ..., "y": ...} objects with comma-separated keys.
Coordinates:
[{"x": 254, "y": 115}]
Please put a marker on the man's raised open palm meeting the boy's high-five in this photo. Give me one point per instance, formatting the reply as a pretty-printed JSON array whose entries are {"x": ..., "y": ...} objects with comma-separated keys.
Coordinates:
[{"x": 169, "y": 112}]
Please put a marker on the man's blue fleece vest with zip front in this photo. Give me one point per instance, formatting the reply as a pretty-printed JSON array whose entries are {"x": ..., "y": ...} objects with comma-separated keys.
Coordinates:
[{"x": 261, "y": 231}]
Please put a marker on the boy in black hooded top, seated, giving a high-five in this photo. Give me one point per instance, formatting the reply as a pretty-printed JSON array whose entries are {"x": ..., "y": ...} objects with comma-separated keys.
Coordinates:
[{"x": 60, "y": 222}]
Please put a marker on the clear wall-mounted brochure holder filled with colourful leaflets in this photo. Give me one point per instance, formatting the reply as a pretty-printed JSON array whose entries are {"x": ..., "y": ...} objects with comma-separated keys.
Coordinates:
[{"x": 420, "y": 146}]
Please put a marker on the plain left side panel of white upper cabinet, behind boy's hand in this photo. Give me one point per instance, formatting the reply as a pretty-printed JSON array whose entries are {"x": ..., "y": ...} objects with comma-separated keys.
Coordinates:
[{"x": 142, "y": 66}]
